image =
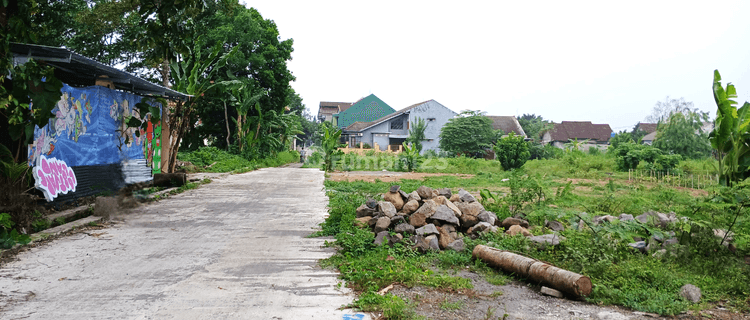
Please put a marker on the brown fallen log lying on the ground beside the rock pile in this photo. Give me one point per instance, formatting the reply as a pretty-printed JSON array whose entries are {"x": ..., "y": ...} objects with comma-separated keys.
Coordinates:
[{"x": 560, "y": 279}]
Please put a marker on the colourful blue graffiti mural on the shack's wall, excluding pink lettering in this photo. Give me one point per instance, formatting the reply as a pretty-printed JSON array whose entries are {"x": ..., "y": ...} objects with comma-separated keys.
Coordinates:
[{"x": 89, "y": 129}]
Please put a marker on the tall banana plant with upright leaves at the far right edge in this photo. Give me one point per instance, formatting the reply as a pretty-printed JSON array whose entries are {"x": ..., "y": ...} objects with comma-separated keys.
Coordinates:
[{"x": 731, "y": 134}]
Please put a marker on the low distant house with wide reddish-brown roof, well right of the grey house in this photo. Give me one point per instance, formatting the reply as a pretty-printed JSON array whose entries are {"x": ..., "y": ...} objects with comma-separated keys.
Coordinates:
[{"x": 589, "y": 134}]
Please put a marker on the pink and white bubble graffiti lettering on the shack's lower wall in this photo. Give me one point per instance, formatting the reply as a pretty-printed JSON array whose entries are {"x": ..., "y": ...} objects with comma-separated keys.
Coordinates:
[{"x": 53, "y": 177}]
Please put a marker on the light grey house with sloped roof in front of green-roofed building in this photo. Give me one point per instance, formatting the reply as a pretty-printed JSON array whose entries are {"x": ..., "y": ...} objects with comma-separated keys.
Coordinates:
[{"x": 392, "y": 129}]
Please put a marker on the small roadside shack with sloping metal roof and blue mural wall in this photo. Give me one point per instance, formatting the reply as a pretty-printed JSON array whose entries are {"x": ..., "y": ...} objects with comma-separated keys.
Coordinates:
[{"x": 88, "y": 149}]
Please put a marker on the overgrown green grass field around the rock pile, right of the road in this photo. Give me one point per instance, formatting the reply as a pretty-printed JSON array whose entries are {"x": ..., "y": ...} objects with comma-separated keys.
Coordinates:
[{"x": 619, "y": 275}]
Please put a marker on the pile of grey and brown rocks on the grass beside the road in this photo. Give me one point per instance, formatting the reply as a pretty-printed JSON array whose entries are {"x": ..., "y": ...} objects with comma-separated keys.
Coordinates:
[{"x": 434, "y": 219}]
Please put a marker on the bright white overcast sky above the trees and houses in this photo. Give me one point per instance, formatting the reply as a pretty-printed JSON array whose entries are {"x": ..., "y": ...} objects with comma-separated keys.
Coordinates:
[{"x": 565, "y": 60}]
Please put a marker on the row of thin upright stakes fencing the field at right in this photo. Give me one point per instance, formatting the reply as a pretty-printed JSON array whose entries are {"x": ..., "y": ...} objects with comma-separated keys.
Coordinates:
[{"x": 694, "y": 180}]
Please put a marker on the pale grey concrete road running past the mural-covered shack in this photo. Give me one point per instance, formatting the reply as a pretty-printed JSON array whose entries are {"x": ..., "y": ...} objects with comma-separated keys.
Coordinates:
[{"x": 232, "y": 249}]
